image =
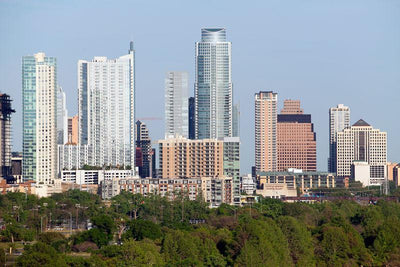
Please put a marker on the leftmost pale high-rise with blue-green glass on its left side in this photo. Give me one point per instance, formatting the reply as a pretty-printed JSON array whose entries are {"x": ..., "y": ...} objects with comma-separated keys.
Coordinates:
[{"x": 39, "y": 145}]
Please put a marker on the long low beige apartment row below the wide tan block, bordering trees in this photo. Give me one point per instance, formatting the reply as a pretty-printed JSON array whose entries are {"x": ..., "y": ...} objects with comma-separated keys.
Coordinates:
[{"x": 214, "y": 191}]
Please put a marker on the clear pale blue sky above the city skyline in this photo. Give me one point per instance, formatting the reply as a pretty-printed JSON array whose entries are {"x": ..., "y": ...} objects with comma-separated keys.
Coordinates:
[{"x": 318, "y": 51}]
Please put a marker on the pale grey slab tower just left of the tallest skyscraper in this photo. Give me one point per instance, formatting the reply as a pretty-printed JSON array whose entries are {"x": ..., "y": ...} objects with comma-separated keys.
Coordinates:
[{"x": 176, "y": 104}]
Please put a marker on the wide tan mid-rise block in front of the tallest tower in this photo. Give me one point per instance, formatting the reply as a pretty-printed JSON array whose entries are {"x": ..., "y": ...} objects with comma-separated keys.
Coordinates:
[{"x": 184, "y": 158}]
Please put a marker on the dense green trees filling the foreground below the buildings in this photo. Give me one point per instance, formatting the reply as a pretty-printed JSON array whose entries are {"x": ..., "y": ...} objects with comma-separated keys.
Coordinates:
[{"x": 132, "y": 230}]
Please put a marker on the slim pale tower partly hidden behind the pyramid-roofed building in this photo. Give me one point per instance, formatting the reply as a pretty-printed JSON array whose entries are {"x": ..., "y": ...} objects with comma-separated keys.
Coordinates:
[{"x": 339, "y": 119}]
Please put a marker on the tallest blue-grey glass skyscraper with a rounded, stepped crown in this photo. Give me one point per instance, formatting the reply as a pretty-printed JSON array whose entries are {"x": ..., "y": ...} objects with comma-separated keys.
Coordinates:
[{"x": 213, "y": 85}]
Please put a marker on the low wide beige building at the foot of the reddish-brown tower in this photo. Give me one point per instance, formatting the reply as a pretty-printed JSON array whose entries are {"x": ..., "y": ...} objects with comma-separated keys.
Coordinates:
[{"x": 278, "y": 184}]
